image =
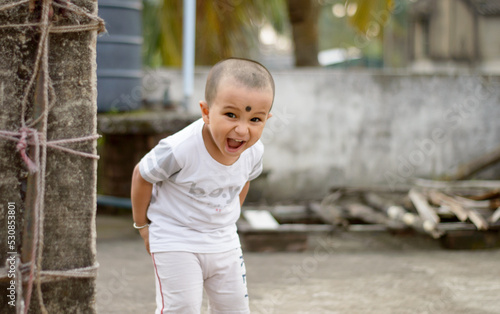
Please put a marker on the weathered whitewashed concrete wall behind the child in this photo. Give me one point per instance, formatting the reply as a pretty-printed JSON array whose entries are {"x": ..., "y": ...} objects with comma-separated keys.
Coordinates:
[{"x": 333, "y": 128}]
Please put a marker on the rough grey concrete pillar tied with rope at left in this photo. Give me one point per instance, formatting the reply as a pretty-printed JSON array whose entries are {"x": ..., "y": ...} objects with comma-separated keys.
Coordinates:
[{"x": 70, "y": 180}]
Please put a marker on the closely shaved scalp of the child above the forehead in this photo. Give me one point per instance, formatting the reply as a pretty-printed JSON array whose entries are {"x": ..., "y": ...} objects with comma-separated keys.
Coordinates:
[{"x": 249, "y": 73}]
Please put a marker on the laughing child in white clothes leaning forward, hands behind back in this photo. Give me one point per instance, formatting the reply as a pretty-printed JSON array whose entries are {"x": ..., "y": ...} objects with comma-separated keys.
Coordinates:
[{"x": 184, "y": 192}]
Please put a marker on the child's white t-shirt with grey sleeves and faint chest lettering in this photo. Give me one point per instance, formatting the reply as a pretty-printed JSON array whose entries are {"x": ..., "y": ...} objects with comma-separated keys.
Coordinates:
[{"x": 195, "y": 201}]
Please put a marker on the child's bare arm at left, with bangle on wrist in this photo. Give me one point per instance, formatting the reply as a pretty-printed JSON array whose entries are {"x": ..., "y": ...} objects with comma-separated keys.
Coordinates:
[{"x": 141, "y": 196}]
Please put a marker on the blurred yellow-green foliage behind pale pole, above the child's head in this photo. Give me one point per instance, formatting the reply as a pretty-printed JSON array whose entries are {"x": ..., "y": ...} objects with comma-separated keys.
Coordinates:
[{"x": 224, "y": 28}]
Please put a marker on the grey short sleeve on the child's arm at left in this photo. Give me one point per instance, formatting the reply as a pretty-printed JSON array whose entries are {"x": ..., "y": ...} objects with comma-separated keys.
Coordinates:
[{"x": 159, "y": 164}]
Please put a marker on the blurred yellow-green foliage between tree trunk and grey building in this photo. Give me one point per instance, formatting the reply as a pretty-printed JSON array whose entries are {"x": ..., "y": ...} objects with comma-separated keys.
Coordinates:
[{"x": 364, "y": 30}]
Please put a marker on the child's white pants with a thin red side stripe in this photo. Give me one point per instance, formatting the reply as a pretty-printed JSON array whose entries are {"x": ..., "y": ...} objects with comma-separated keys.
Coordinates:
[{"x": 181, "y": 277}]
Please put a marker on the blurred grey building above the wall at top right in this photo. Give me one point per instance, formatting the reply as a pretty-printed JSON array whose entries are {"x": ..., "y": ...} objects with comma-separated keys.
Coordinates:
[{"x": 458, "y": 37}]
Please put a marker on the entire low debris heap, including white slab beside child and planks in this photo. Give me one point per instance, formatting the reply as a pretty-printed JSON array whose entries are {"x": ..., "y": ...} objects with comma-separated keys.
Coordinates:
[{"x": 453, "y": 211}]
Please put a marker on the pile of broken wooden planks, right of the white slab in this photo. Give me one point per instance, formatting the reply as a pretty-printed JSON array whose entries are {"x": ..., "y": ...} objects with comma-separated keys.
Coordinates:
[{"x": 433, "y": 207}]
